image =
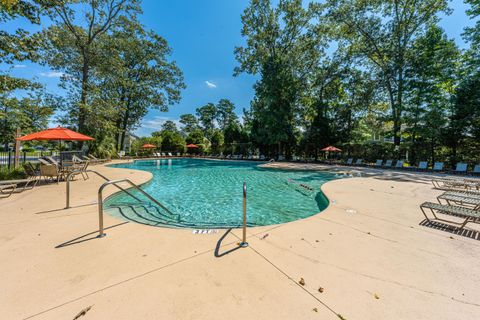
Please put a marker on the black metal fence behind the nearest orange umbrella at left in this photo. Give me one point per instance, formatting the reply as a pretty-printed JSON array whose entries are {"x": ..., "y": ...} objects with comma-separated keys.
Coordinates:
[{"x": 7, "y": 158}]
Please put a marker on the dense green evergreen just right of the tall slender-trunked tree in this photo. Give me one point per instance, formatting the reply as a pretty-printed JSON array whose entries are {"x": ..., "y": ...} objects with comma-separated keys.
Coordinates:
[{"x": 430, "y": 81}]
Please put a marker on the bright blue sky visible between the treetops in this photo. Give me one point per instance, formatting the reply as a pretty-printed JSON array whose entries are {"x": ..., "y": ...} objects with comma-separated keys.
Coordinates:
[{"x": 203, "y": 35}]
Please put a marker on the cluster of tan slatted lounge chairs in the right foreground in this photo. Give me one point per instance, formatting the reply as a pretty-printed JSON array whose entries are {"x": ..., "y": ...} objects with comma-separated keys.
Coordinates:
[{"x": 461, "y": 199}]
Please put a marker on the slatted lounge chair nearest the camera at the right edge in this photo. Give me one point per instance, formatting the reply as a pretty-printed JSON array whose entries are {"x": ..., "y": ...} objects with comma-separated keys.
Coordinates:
[{"x": 469, "y": 215}]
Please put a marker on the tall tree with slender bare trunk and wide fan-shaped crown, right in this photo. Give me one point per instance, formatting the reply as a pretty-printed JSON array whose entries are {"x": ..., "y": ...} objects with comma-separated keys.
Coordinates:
[{"x": 382, "y": 32}]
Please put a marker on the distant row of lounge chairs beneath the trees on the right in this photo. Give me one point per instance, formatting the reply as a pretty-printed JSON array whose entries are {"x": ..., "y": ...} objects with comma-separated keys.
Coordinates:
[{"x": 460, "y": 168}]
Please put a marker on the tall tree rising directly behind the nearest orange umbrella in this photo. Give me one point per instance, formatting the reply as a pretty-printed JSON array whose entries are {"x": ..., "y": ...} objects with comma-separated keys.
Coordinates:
[{"x": 72, "y": 45}]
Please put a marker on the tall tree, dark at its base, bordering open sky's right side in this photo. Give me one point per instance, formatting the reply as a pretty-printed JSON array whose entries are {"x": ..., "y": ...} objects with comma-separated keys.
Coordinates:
[{"x": 281, "y": 46}]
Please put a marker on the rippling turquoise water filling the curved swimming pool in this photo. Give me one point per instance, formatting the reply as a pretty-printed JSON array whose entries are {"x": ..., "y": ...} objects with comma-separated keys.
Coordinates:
[{"x": 199, "y": 193}]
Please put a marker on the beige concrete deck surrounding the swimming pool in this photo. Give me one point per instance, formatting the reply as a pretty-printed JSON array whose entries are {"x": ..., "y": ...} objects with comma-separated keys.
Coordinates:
[{"x": 369, "y": 255}]
